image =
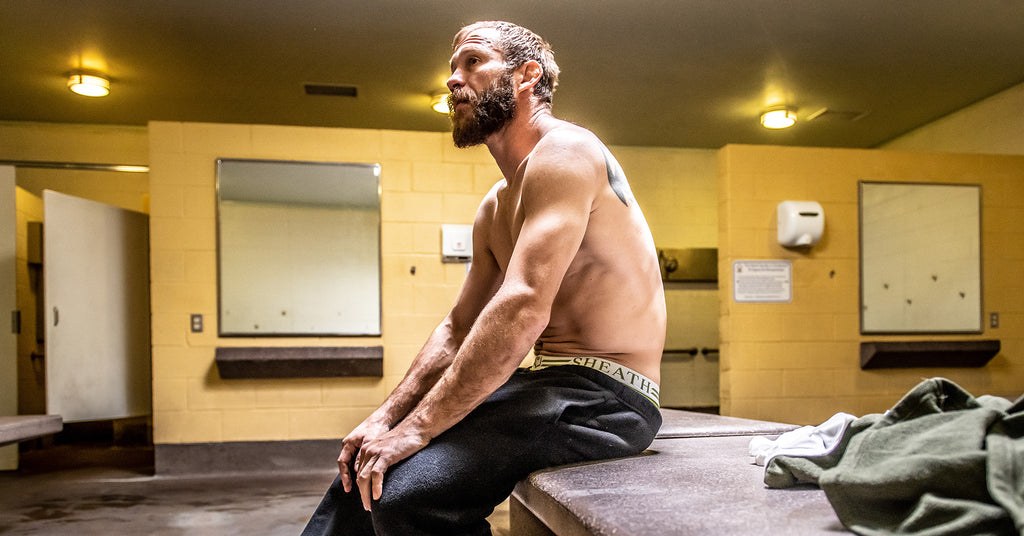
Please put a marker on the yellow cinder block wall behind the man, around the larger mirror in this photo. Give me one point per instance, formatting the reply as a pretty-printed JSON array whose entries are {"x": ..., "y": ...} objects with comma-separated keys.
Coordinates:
[{"x": 426, "y": 182}]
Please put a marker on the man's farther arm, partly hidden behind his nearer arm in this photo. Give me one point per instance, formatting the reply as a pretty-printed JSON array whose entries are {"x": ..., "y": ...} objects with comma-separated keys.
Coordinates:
[{"x": 439, "y": 352}]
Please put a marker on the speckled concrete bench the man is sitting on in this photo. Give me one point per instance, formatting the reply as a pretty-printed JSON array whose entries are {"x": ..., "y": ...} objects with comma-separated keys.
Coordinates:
[{"x": 697, "y": 478}]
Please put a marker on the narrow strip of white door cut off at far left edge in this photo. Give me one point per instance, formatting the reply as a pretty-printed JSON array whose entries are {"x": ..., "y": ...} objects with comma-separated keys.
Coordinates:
[{"x": 9, "y": 340}]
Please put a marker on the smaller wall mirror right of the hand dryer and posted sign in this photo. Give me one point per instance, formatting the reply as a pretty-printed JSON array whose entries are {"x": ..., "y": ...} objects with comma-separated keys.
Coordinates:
[{"x": 920, "y": 259}]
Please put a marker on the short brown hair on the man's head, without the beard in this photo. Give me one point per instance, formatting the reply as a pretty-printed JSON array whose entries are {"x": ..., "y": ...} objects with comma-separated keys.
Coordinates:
[{"x": 518, "y": 47}]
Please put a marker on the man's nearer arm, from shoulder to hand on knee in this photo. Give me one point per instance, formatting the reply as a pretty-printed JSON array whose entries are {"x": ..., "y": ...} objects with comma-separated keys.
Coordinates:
[{"x": 559, "y": 190}]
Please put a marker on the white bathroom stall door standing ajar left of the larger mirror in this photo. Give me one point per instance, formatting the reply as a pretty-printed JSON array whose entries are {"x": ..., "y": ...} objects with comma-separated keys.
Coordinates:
[{"x": 97, "y": 281}]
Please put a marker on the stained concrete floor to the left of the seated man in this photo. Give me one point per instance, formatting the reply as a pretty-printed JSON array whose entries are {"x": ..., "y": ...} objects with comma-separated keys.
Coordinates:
[{"x": 114, "y": 492}]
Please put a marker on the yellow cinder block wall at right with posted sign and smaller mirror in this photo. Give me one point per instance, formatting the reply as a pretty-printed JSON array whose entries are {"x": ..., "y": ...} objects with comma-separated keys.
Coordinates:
[{"x": 799, "y": 362}]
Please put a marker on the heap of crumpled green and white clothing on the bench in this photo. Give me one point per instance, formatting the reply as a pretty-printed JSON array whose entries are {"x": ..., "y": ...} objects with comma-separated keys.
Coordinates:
[{"x": 940, "y": 463}]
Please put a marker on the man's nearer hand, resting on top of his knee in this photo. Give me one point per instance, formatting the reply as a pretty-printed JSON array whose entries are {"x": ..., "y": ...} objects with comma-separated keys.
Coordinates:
[{"x": 378, "y": 455}]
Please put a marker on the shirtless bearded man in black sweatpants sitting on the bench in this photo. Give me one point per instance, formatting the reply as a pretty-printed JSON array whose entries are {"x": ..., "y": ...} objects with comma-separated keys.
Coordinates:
[{"x": 564, "y": 262}]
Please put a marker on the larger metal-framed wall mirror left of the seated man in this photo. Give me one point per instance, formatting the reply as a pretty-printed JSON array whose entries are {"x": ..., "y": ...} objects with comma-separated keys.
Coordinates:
[{"x": 298, "y": 249}]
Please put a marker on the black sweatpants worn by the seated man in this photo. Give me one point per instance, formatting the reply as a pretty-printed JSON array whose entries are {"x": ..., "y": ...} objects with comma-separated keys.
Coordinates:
[{"x": 538, "y": 420}]
